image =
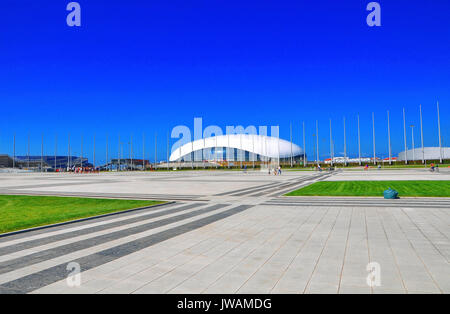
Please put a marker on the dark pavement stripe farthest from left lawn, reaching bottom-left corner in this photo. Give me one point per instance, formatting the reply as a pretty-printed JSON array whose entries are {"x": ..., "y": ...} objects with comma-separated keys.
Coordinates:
[{"x": 46, "y": 277}]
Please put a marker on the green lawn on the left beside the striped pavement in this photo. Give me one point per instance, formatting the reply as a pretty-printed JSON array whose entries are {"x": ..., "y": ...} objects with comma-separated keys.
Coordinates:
[{"x": 22, "y": 212}]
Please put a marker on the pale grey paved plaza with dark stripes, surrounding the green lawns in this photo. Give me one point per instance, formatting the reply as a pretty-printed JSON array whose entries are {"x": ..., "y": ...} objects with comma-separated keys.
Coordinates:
[{"x": 231, "y": 232}]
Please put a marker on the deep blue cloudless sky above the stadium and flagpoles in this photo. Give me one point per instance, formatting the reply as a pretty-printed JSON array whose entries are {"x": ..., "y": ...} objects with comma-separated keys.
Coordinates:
[{"x": 137, "y": 67}]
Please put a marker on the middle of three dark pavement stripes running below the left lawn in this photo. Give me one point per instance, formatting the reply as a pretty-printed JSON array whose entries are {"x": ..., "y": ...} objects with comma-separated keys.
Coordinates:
[{"x": 45, "y": 255}]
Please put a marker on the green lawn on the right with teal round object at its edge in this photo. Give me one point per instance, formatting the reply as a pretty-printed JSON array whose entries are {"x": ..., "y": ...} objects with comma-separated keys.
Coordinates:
[{"x": 375, "y": 188}]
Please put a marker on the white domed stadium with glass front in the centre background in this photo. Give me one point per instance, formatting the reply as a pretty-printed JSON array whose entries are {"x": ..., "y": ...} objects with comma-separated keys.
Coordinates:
[{"x": 238, "y": 148}]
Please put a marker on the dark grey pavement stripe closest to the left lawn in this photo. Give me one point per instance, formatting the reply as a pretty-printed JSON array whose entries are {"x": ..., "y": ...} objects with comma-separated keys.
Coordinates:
[{"x": 51, "y": 239}]
